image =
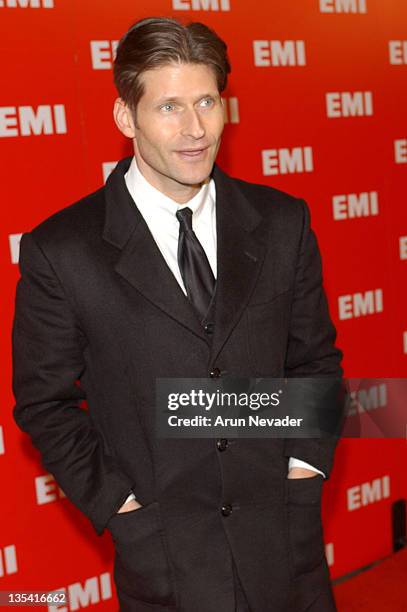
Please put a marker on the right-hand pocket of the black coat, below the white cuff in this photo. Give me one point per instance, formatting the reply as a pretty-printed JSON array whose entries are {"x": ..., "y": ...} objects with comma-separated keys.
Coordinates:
[{"x": 303, "y": 501}]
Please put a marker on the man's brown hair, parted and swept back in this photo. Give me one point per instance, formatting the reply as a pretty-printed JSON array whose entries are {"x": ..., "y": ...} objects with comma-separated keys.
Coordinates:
[{"x": 159, "y": 41}]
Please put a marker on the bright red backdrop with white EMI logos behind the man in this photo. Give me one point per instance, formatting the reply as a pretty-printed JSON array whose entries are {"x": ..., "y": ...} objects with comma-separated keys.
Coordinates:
[{"x": 316, "y": 107}]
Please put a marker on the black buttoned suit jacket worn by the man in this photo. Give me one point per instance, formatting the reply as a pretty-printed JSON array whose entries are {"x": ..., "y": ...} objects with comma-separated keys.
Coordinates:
[{"x": 99, "y": 315}]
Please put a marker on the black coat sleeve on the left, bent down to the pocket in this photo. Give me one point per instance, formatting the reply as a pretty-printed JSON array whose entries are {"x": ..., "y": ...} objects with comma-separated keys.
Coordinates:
[{"x": 48, "y": 362}]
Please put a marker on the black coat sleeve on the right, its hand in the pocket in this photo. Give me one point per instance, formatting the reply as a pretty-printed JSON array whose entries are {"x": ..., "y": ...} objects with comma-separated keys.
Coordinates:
[{"x": 311, "y": 350}]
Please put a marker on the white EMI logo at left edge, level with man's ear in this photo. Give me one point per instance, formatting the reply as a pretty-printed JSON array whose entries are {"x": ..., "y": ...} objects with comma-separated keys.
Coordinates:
[{"x": 30, "y": 121}]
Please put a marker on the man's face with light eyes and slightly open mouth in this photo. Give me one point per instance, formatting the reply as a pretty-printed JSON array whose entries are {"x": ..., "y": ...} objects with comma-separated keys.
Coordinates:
[{"x": 179, "y": 125}]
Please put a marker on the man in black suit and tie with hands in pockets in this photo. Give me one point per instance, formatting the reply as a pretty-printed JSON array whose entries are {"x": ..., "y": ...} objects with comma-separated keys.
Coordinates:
[{"x": 174, "y": 269}]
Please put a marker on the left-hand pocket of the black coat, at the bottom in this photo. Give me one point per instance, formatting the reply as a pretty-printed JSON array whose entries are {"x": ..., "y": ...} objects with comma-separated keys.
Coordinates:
[{"x": 141, "y": 566}]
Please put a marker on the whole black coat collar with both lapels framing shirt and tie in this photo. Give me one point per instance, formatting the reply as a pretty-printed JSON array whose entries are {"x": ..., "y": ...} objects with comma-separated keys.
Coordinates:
[{"x": 240, "y": 251}]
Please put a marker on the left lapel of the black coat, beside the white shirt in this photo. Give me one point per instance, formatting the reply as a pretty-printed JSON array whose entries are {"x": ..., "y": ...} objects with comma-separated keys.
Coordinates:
[{"x": 140, "y": 261}]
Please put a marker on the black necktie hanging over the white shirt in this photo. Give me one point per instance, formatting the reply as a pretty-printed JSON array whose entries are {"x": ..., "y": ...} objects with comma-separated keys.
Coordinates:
[{"x": 194, "y": 266}]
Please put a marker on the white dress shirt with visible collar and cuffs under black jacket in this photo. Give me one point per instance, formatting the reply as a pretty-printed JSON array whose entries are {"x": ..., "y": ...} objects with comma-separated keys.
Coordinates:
[{"x": 158, "y": 211}]
